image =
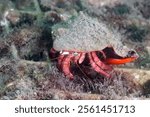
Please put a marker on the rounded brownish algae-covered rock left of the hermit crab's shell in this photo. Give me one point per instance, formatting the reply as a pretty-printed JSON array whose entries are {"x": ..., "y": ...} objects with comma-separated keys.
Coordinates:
[{"x": 27, "y": 41}]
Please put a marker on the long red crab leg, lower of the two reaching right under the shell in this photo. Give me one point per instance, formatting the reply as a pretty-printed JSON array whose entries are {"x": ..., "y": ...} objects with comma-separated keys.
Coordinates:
[{"x": 96, "y": 67}]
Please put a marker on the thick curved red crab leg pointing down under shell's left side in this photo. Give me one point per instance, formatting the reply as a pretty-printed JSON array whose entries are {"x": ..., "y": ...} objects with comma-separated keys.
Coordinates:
[{"x": 66, "y": 66}]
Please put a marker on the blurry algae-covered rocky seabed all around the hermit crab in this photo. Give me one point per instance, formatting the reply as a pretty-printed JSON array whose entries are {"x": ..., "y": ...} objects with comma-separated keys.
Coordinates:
[{"x": 26, "y": 36}]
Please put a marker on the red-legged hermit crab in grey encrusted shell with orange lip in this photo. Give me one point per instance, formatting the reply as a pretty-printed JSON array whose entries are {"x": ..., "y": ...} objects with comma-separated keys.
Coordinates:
[{"x": 86, "y": 38}]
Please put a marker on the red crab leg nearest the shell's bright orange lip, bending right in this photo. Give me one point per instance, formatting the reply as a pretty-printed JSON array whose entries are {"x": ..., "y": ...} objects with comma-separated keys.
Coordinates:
[{"x": 99, "y": 62}]
